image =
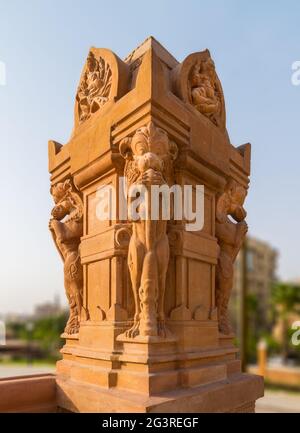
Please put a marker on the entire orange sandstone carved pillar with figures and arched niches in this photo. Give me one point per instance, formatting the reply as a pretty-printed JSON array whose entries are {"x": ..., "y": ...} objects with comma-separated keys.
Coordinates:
[{"x": 149, "y": 330}]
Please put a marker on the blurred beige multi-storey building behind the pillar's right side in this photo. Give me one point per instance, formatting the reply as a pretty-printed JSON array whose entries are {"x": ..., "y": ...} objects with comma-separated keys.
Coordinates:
[{"x": 256, "y": 266}]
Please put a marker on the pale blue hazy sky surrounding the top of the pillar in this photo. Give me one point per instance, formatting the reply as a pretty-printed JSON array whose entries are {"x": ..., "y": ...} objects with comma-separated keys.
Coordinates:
[{"x": 44, "y": 45}]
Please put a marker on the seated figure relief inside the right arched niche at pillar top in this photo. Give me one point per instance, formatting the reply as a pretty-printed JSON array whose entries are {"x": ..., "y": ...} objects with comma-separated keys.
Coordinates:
[{"x": 206, "y": 94}]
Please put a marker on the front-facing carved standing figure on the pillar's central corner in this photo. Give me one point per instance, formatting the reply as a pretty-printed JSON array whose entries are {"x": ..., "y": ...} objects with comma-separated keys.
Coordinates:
[{"x": 149, "y": 158}]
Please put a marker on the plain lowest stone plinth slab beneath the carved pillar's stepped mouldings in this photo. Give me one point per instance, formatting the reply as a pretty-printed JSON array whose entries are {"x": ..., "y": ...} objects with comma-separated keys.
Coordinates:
[{"x": 238, "y": 393}]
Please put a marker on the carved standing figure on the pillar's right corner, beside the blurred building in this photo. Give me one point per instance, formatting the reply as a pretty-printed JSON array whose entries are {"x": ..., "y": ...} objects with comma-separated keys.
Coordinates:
[{"x": 230, "y": 237}]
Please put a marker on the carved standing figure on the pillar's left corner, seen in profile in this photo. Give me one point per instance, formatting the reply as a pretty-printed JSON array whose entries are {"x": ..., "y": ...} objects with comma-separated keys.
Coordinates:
[{"x": 66, "y": 227}]
